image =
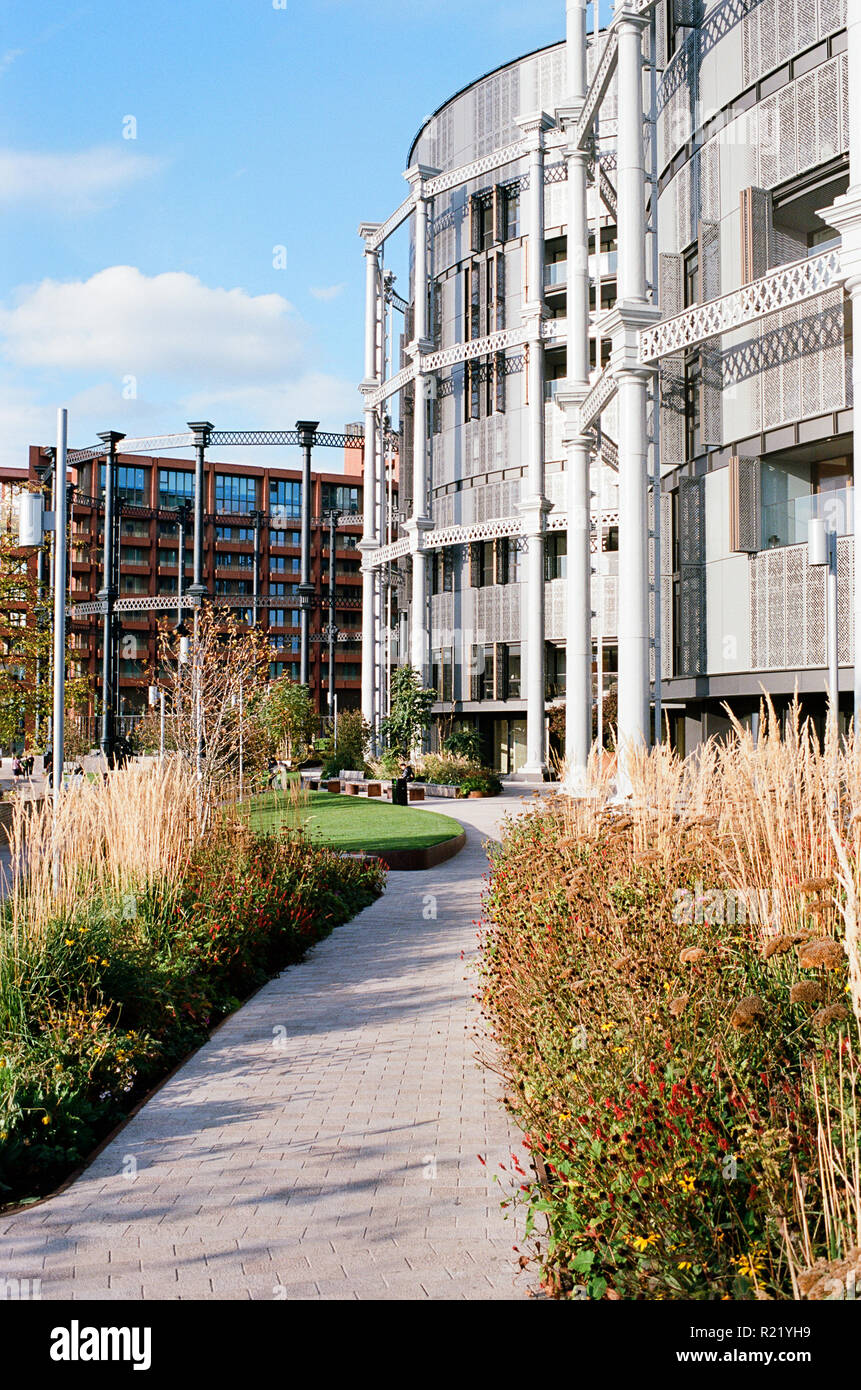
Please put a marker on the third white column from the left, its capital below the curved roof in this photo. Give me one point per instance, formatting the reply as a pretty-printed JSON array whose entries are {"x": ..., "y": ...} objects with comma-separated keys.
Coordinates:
[{"x": 533, "y": 504}]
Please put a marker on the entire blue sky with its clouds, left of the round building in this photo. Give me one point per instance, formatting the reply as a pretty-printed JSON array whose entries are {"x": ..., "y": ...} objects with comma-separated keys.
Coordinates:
[{"x": 152, "y": 159}]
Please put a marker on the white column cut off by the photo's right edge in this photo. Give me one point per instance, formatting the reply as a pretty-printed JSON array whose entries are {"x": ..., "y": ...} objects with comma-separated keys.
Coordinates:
[{"x": 846, "y": 218}]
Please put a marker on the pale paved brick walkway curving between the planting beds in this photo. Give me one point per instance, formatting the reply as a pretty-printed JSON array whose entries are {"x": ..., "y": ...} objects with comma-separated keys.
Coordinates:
[{"x": 323, "y": 1145}]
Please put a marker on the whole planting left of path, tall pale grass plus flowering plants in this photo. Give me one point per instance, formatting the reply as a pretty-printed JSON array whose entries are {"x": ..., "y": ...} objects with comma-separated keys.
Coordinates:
[{"x": 126, "y": 936}]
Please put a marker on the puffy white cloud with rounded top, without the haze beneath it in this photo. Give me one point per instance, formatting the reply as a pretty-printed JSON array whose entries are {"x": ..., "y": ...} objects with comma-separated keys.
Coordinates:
[{"x": 172, "y": 325}]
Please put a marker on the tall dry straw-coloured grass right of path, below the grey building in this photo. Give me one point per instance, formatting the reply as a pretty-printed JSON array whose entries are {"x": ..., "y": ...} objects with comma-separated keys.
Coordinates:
[{"x": 778, "y": 817}]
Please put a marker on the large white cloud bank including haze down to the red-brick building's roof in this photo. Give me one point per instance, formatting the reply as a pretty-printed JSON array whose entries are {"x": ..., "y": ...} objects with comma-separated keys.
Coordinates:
[{"x": 194, "y": 352}]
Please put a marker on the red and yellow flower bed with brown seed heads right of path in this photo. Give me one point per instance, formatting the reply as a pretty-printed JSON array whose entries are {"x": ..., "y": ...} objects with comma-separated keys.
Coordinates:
[{"x": 679, "y": 1070}]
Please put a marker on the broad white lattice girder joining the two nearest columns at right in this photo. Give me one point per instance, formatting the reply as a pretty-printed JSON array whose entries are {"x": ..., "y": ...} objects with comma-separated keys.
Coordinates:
[{"x": 780, "y": 290}]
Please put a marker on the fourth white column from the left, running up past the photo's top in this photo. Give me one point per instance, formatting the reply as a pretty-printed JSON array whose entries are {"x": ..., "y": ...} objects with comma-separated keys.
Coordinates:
[{"x": 579, "y": 623}]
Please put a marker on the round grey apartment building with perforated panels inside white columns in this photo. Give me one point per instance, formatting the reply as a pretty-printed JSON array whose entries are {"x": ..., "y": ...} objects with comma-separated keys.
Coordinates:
[{"x": 628, "y": 376}]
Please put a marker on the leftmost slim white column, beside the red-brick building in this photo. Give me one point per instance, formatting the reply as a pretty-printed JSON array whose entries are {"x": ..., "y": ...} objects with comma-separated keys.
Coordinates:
[{"x": 369, "y": 541}]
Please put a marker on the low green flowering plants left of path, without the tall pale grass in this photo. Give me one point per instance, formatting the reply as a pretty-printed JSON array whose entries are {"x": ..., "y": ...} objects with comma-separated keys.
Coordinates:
[{"x": 108, "y": 997}]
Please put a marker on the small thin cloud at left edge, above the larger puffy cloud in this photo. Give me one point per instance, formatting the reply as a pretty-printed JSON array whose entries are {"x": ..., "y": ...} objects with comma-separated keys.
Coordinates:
[{"x": 74, "y": 183}]
